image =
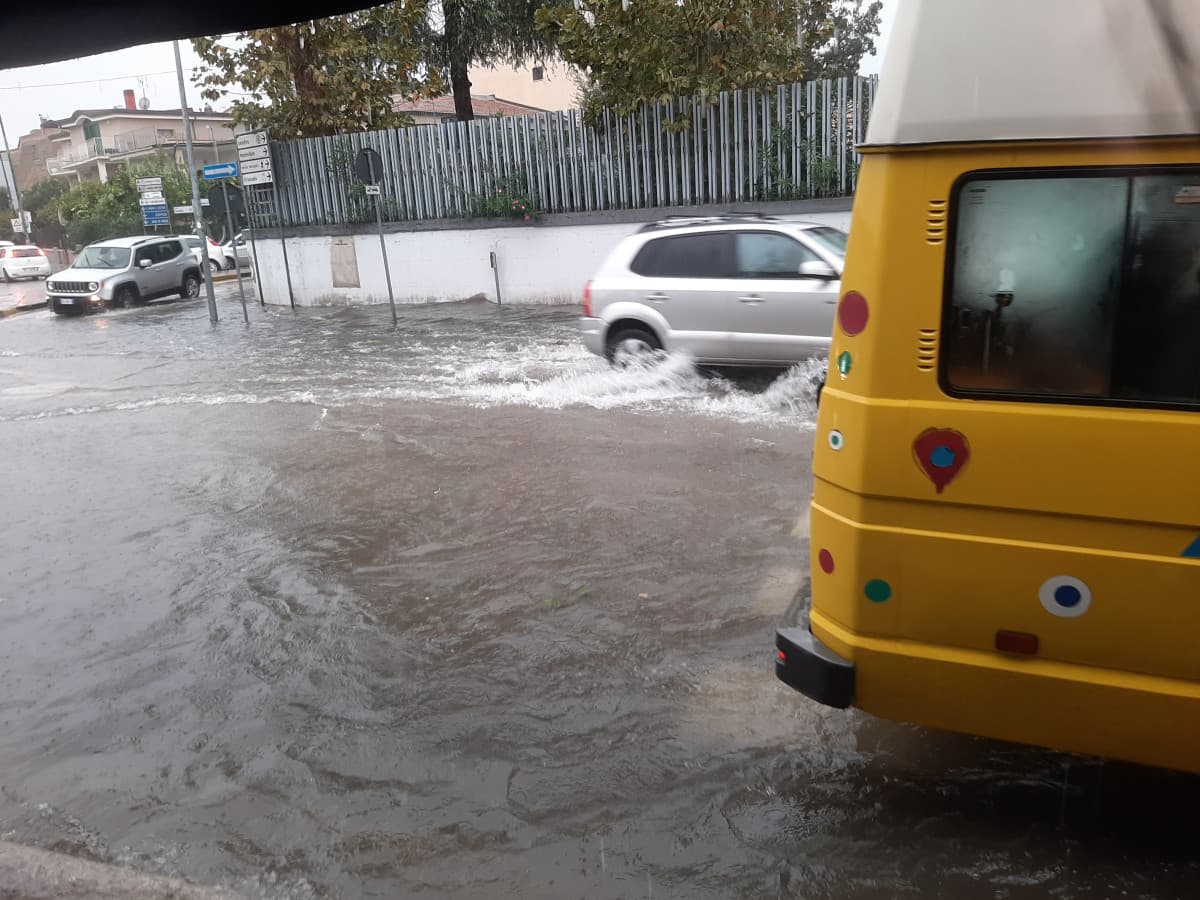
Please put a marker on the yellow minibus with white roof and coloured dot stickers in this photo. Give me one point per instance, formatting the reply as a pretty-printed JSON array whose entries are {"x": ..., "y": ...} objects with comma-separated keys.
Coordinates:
[{"x": 1006, "y": 508}]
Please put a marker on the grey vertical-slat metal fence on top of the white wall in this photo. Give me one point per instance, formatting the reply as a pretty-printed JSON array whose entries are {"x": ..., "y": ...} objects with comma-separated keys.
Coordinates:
[{"x": 790, "y": 143}]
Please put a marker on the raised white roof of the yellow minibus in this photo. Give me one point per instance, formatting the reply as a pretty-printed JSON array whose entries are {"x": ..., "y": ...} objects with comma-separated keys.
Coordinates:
[{"x": 995, "y": 70}]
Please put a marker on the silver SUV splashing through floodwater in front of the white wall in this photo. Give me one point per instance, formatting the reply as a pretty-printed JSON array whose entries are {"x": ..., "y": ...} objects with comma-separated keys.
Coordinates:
[{"x": 731, "y": 290}]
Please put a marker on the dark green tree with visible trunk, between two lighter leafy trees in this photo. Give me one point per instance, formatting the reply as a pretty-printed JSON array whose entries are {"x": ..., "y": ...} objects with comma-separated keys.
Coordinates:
[{"x": 484, "y": 33}]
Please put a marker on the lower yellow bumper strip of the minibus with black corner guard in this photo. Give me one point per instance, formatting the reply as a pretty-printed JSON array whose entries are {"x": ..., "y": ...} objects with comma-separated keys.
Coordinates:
[{"x": 1139, "y": 718}]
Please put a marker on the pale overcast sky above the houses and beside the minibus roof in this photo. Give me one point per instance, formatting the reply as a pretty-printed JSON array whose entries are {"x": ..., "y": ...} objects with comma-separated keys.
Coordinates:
[{"x": 98, "y": 82}]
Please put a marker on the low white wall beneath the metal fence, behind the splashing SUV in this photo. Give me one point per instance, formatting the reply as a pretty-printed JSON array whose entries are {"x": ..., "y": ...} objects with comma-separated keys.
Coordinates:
[{"x": 538, "y": 265}]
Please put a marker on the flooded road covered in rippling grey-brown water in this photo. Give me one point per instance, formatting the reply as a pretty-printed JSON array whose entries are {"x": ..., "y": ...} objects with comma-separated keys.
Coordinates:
[{"x": 317, "y": 608}]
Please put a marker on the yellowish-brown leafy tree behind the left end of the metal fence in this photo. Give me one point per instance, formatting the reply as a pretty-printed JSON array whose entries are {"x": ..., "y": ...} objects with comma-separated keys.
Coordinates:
[{"x": 321, "y": 77}]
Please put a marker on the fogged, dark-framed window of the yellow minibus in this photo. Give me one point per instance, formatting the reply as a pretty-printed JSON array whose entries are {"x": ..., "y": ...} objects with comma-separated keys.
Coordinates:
[{"x": 1077, "y": 285}]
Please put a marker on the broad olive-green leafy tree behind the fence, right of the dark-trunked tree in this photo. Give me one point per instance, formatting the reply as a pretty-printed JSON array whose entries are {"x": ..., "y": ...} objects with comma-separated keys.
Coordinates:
[{"x": 644, "y": 51}]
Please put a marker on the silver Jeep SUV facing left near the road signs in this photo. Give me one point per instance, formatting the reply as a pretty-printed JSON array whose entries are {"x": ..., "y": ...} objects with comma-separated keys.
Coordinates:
[{"x": 124, "y": 272}]
